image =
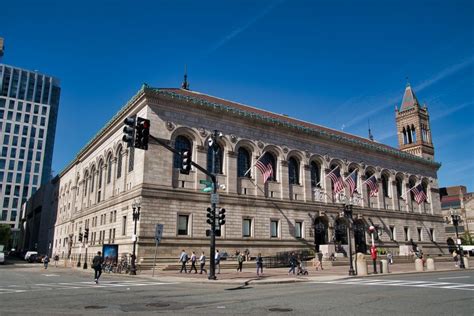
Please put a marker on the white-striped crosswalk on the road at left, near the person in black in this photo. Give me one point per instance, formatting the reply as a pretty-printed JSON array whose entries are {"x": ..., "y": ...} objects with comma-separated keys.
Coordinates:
[{"x": 9, "y": 289}]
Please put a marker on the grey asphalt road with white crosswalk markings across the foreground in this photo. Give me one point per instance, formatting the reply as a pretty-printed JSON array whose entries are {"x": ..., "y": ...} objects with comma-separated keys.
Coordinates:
[{"x": 32, "y": 290}]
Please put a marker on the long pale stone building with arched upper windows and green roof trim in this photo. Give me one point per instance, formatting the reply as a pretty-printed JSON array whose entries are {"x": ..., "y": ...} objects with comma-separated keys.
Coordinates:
[{"x": 295, "y": 209}]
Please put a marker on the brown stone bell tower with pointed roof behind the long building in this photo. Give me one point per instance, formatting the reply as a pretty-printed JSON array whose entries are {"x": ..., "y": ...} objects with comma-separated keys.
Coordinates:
[{"x": 413, "y": 127}]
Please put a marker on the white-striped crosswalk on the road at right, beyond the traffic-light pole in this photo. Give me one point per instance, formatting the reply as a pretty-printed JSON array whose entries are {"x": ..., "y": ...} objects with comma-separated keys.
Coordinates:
[{"x": 406, "y": 283}]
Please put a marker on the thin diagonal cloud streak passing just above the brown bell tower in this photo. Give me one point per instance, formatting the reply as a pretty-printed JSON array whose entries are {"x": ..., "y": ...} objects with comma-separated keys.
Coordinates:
[{"x": 382, "y": 104}]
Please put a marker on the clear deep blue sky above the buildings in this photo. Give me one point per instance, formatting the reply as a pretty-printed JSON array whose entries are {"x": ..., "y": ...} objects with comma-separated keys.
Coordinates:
[{"x": 334, "y": 63}]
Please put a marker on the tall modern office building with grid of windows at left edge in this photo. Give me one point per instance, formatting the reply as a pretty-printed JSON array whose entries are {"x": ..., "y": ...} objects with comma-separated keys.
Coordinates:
[{"x": 28, "y": 113}]
